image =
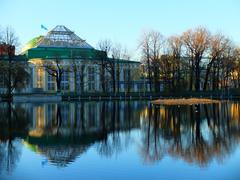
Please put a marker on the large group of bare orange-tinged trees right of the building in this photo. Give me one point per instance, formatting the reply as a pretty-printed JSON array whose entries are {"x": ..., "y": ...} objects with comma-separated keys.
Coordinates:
[{"x": 193, "y": 61}]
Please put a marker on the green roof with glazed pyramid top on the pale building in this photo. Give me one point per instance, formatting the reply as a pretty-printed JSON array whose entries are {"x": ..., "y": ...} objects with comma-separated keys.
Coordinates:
[{"x": 62, "y": 43}]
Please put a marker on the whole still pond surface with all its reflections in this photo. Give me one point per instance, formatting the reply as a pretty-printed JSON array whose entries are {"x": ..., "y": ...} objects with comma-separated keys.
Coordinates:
[{"x": 119, "y": 140}]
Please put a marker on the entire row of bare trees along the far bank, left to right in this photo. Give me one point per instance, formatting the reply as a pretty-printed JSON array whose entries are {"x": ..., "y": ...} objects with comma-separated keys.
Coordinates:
[{"x": 192, "y": 61}]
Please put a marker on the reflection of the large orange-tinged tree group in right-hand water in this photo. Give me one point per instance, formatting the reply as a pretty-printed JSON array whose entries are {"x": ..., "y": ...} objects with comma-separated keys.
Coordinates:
[{"x": 198, "y": 134}]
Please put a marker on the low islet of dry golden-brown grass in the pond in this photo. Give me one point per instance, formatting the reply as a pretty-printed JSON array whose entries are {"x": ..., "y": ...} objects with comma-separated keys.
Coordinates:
[{"x": 183, "y": 101}]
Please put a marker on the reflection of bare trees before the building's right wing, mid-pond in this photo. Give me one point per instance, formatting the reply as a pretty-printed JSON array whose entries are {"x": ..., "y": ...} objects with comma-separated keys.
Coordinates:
[{"x": 120, "y": 124}]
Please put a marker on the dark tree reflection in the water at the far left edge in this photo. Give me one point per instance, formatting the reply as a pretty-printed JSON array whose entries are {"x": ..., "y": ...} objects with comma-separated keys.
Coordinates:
[{"x": 13, "y": 125}]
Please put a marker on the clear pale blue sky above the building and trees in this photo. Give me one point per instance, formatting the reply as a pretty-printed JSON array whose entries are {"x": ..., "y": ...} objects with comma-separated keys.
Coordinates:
[{"x": 122, "y": 21}]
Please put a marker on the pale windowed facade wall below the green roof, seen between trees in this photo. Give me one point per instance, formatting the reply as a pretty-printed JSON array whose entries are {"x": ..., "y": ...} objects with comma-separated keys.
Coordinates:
[{"x": 42, "y": 81}]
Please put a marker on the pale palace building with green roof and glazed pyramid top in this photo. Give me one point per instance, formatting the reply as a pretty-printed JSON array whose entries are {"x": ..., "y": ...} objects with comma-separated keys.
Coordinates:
[{"x": 82, "y": 68}]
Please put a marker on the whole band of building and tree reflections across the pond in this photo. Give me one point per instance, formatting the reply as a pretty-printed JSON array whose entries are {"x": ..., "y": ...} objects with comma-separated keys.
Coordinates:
[{"x": 62, "y": 132}]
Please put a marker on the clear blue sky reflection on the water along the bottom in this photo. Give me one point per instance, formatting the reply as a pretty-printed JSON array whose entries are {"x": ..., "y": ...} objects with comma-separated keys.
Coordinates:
[{"x": 127, "y": 165}]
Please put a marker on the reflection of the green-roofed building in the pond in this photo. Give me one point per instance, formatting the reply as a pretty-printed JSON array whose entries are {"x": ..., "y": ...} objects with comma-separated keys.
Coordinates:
[{"x": 64, "y": 131}]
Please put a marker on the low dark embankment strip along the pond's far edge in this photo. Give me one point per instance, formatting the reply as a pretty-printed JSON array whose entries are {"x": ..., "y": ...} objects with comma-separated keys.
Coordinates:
[{"x": 61, "y": 97}]
